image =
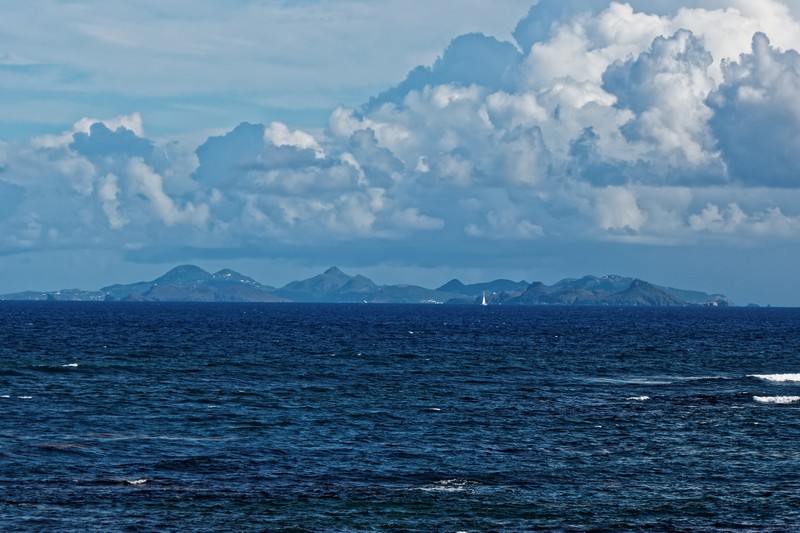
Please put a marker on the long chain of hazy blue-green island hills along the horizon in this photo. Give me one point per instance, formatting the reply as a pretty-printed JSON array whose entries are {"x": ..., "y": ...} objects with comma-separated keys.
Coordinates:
[{"x": 189, "y": 283}]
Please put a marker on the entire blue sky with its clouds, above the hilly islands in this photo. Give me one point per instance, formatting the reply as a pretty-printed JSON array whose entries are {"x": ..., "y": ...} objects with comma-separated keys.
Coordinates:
[{"x": 410, "y": 141}]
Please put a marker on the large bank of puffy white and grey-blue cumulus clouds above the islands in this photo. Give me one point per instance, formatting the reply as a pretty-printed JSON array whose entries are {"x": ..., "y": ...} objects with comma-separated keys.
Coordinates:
[{"x": 647, "y": 123}]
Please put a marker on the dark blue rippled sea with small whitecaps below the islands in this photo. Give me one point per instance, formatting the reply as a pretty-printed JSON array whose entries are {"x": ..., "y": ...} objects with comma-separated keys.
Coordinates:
[{"x": 303, "y": 417}]
